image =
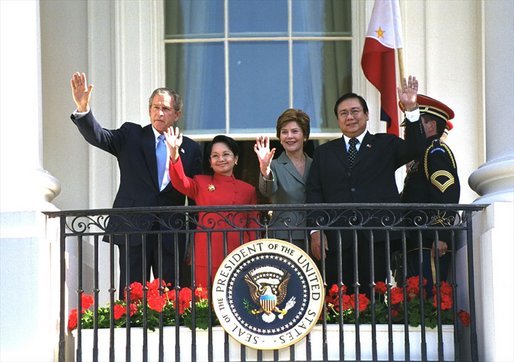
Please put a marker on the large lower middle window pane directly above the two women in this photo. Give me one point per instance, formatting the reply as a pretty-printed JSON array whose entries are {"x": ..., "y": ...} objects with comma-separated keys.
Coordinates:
[{"x": 259, "y": 86}]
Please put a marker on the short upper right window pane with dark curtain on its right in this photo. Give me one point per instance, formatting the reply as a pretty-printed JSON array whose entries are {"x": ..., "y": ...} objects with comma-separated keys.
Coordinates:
[{"x": 322, "y": 17}]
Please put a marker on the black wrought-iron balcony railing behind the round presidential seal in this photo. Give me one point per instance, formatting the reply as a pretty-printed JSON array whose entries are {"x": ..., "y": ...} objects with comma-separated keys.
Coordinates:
[{"x": 81, "y": 243}]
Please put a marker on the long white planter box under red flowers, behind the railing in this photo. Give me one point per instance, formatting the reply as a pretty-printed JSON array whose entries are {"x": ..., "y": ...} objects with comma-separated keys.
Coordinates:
[{"x": 284, "y": 355}]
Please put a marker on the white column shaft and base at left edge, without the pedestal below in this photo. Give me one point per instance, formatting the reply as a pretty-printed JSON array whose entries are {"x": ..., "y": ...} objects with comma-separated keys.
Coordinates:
[{"x": 25, "y": 185}]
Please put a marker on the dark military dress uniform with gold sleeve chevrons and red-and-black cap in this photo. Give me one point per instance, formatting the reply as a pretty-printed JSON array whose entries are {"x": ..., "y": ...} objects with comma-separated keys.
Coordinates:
[{"x": 431, "y": 179}]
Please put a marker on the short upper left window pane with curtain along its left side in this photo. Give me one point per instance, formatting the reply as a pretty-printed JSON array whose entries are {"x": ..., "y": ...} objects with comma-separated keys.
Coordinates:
[{"x": 193, "y": 19}]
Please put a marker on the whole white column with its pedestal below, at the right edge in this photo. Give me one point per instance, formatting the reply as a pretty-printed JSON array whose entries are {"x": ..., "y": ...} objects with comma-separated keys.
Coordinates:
[{"x": 494, "y": 181}]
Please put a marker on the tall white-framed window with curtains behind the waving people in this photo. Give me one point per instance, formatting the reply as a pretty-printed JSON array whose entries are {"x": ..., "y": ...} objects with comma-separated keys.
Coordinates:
[{"x": 240, "y": 63}]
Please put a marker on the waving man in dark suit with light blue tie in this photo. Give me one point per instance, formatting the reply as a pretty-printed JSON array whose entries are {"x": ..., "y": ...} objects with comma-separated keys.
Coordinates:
[{"x": 141, "y": 183}]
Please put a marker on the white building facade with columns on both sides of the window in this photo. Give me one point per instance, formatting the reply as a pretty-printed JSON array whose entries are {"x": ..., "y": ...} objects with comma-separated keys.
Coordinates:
[{"x": 462, "y": 51}]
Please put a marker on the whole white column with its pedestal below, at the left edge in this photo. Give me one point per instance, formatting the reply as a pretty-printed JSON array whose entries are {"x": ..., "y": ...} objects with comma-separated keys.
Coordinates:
[{"x": 27, "y": 295}]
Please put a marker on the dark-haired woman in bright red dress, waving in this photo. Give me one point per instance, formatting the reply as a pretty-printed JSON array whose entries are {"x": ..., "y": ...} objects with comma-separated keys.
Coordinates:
[{"x": 222, "y": 188}]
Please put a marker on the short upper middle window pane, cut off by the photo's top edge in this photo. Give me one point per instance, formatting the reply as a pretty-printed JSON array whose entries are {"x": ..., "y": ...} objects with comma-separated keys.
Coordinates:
[{"x": 257, "y": 17}]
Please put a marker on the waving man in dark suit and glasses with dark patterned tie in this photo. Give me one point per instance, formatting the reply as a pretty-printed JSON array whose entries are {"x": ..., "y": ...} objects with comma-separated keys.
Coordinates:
[{"x": 360, "y": 173}]
